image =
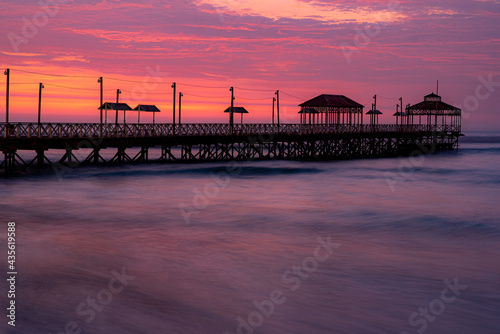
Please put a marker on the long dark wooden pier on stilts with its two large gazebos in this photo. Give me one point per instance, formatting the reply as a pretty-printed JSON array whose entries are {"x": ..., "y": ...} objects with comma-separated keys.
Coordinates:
[{"x": 324, "y": 137}]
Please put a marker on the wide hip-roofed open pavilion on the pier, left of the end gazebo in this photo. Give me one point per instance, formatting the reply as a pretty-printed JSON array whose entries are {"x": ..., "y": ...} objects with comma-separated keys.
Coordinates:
[{"x": 331, "y": 110}]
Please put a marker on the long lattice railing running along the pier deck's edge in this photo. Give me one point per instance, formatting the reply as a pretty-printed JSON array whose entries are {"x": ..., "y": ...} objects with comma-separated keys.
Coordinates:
[{"x": 86, "y": 130}]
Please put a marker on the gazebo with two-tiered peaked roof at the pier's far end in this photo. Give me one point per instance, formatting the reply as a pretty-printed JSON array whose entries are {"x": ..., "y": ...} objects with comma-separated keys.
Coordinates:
[{"x": 433, "y": 111}]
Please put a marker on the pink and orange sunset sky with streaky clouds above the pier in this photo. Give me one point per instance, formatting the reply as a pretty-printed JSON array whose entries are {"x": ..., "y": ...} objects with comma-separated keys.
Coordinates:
[{"x": 359, "y": 49}]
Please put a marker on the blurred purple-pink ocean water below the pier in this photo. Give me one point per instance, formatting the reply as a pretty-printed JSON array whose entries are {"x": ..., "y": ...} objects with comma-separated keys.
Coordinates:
[{"x": 395, "y": 245}]
